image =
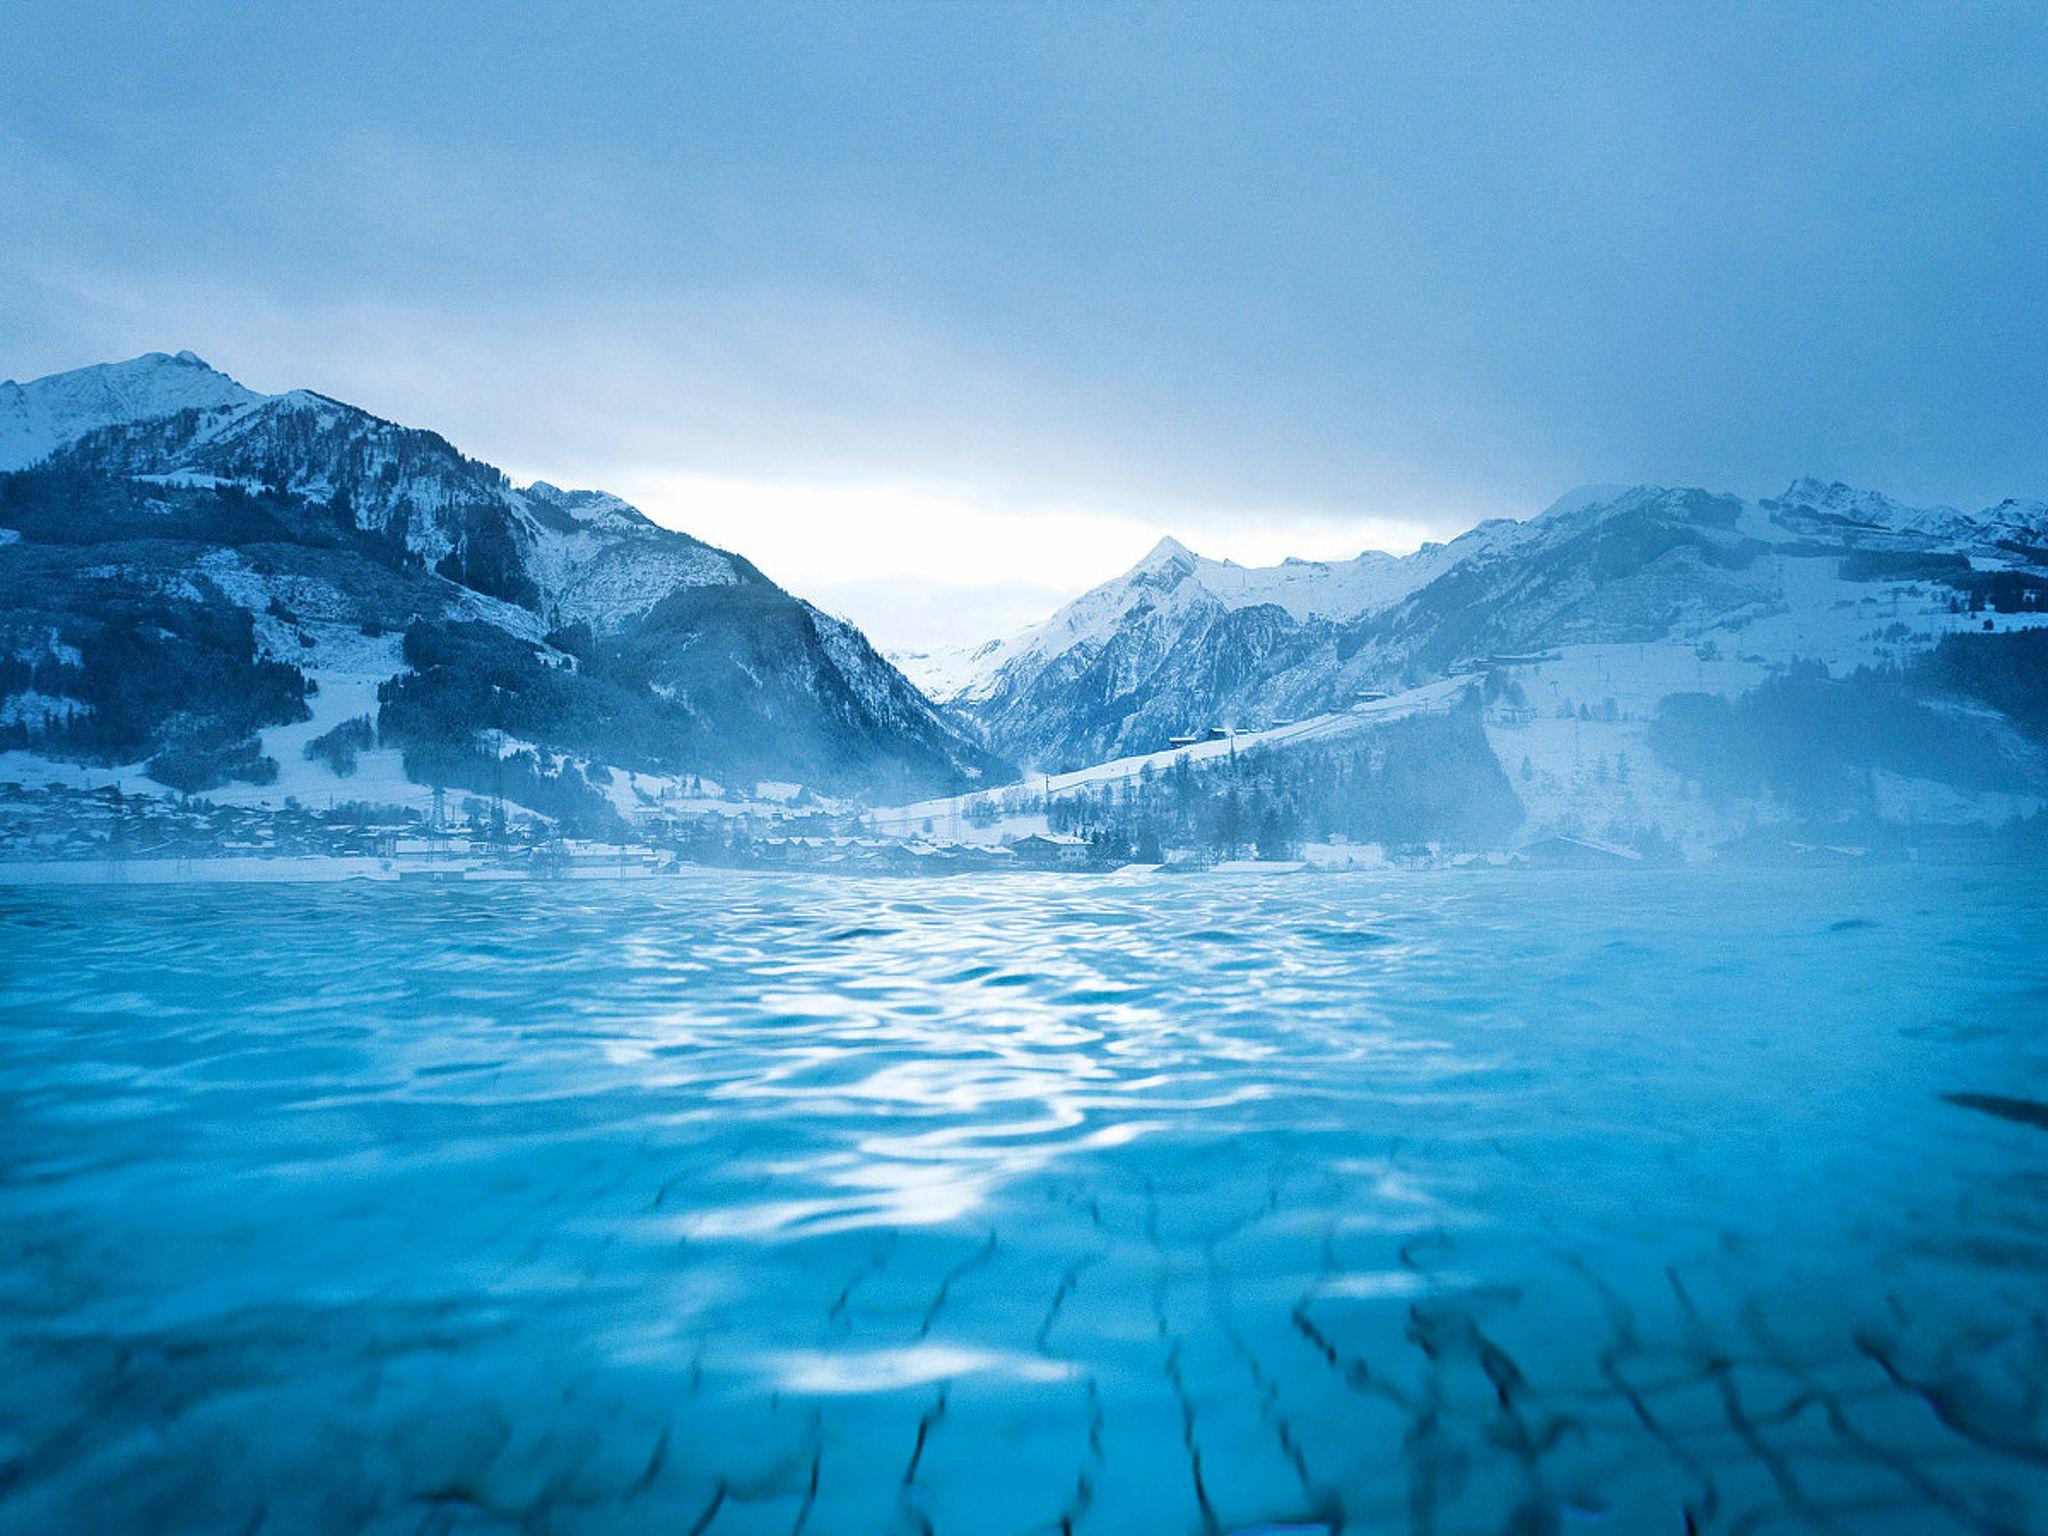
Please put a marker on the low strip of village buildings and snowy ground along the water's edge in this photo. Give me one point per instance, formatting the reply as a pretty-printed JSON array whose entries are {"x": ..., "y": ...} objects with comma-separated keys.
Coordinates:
[{"x": 73, "y": 835}]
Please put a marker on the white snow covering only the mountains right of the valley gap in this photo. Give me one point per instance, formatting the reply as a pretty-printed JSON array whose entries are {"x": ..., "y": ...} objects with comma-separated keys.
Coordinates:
[{"x": 1725, "y": 628}]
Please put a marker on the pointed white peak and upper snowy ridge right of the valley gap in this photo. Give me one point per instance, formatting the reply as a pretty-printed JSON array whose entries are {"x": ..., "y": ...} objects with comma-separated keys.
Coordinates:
[{"x": 1183, "y": 644}]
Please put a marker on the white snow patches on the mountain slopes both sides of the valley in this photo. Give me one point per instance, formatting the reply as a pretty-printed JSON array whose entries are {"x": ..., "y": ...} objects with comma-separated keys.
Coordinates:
[{"x": 601, "y": 562}]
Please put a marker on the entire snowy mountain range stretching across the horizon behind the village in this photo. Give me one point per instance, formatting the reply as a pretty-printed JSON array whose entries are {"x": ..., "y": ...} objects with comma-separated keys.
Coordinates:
[{"x": 239, "y": 595}]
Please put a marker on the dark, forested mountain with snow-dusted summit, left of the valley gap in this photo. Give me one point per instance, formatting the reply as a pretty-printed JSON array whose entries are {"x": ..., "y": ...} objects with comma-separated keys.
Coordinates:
[{"x": 169, "y": 523}]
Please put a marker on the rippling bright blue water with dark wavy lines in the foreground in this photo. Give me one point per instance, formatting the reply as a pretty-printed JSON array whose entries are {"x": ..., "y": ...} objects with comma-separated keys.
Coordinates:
[{"x": 1467, "y": 1203}]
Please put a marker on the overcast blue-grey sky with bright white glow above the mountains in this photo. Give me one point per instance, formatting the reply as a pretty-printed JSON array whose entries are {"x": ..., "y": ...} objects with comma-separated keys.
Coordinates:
[{"x": 943, "y": 314}]
